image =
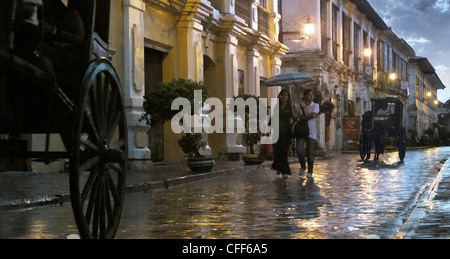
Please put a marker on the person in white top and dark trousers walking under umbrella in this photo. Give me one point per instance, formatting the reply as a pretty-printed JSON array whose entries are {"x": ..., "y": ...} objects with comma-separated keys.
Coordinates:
[{"x": 308, "y": 111}]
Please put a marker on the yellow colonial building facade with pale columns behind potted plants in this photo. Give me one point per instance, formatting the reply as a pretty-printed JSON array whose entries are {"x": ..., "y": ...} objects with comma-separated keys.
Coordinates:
[{"x": 230, "y": 45}]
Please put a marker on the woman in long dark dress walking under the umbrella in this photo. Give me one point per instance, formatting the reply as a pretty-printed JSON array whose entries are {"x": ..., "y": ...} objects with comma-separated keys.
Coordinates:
[{"x": 287, "y": 114}]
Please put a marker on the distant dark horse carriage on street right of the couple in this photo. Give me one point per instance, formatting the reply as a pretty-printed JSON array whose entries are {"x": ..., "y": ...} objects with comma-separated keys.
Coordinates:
[{"x": 385, "y": 120}]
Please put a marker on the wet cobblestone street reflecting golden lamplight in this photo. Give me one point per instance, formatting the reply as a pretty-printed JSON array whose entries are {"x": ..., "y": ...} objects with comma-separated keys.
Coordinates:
[{"x": 348, "y": 198}]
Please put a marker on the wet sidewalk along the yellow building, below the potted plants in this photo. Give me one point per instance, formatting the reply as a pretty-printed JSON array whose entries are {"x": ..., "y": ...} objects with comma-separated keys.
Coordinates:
[{"x": 28, "y": 189}]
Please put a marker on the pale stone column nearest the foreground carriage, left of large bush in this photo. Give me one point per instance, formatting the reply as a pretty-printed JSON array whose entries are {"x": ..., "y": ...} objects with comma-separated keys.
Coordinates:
[{"x": 134, "y": 79}]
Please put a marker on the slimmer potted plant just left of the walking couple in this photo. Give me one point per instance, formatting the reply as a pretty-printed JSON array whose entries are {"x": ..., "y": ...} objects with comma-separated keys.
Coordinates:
[{"x": 250, "y": 139}]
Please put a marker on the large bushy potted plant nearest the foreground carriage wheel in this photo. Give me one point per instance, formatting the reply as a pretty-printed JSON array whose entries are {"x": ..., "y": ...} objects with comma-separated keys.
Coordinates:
[{"x": 157, "y": 109}]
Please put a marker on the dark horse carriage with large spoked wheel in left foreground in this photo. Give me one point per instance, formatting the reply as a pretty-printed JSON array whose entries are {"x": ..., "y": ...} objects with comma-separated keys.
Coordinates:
[{"x": 51, "y": 83}]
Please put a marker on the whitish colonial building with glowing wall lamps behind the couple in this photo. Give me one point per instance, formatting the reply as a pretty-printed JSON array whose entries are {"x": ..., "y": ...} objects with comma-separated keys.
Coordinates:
[{"x": 352, "y": 54}]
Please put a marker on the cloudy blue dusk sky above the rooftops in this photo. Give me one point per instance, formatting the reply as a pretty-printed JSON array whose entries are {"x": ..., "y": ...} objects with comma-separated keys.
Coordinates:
[{"x": 425, "y": 25}]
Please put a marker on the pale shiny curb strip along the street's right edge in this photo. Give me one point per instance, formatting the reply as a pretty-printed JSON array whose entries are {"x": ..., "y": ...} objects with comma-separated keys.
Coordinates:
[{"x": 411, "y": 222}]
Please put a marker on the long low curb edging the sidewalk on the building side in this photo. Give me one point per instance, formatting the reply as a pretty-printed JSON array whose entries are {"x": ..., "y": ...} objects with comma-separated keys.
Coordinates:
[{"x": 149, "y": 186}]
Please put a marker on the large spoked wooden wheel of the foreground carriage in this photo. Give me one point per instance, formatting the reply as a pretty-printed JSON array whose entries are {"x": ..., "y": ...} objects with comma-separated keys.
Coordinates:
[{"x": 98, "y": 165}]
